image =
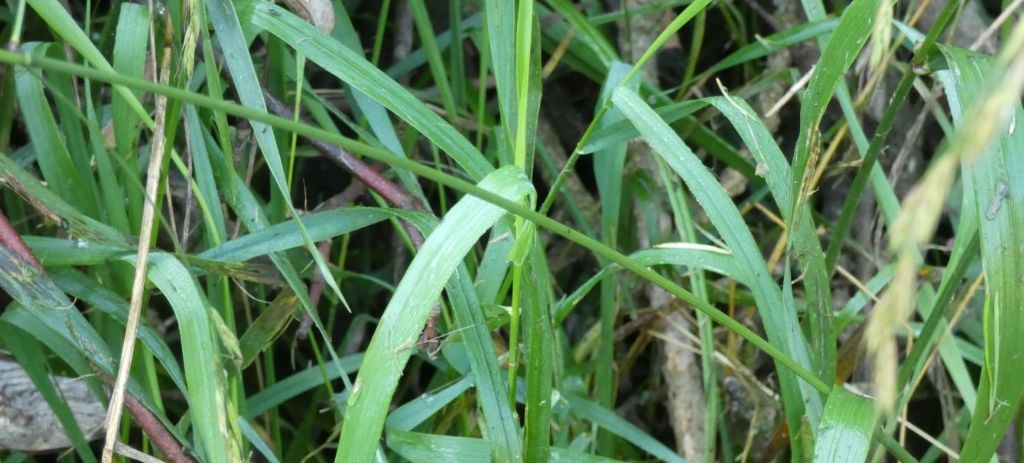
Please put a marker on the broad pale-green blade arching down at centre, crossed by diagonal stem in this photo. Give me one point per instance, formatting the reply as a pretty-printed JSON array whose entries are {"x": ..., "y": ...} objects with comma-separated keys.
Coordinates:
[{"x": 403, "y": 321}]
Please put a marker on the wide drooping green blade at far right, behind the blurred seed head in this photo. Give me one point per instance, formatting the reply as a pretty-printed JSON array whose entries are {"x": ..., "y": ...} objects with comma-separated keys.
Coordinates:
[{"x": 991, "y": 178}]
